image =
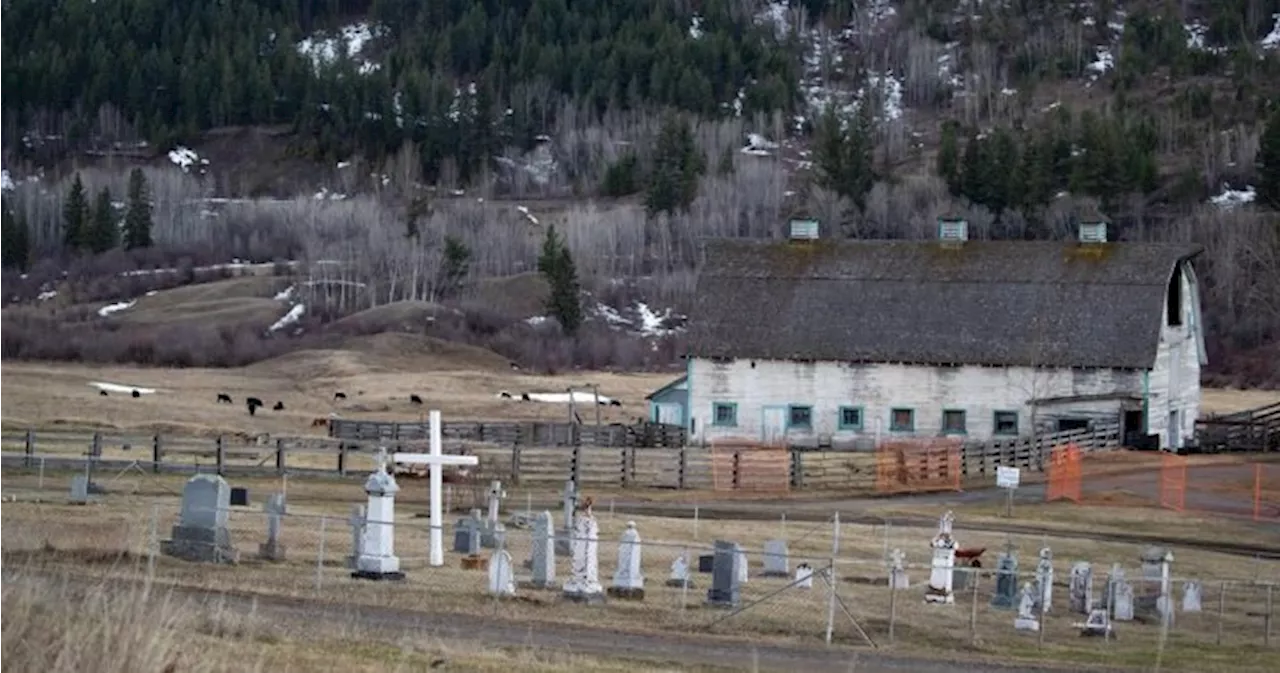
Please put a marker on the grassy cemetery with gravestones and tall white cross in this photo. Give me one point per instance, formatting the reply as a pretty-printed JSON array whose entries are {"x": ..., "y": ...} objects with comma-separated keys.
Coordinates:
[{"x": 936, "y": 588}]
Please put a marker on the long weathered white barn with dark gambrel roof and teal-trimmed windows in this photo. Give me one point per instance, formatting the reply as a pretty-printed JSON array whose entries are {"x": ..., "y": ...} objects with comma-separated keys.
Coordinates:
[{"x": 839, "y": 344}]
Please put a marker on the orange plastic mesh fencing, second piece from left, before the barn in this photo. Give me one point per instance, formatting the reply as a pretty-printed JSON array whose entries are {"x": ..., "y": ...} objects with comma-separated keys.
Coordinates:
[{"x": 918, "y": 465}]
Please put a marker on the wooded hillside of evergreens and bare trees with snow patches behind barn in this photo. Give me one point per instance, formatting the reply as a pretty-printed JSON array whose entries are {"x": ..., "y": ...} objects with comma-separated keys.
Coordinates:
[{"x": 627, "y": 122}]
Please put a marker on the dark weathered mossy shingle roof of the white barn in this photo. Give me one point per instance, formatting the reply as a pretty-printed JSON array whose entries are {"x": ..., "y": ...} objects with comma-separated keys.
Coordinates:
[{"x": 984, "y": 303}]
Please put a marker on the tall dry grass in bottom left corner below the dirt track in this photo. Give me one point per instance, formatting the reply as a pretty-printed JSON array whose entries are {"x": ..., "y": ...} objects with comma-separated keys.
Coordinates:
[{"x": 58, "y": 628}]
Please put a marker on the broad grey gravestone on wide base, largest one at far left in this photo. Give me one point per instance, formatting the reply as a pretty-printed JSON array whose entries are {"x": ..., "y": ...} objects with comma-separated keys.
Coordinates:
[{"x": 202, "y": 533}]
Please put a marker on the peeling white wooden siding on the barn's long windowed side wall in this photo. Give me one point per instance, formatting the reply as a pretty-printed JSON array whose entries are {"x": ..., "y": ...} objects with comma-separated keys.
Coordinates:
[{"x": 765, "y": 390}]
